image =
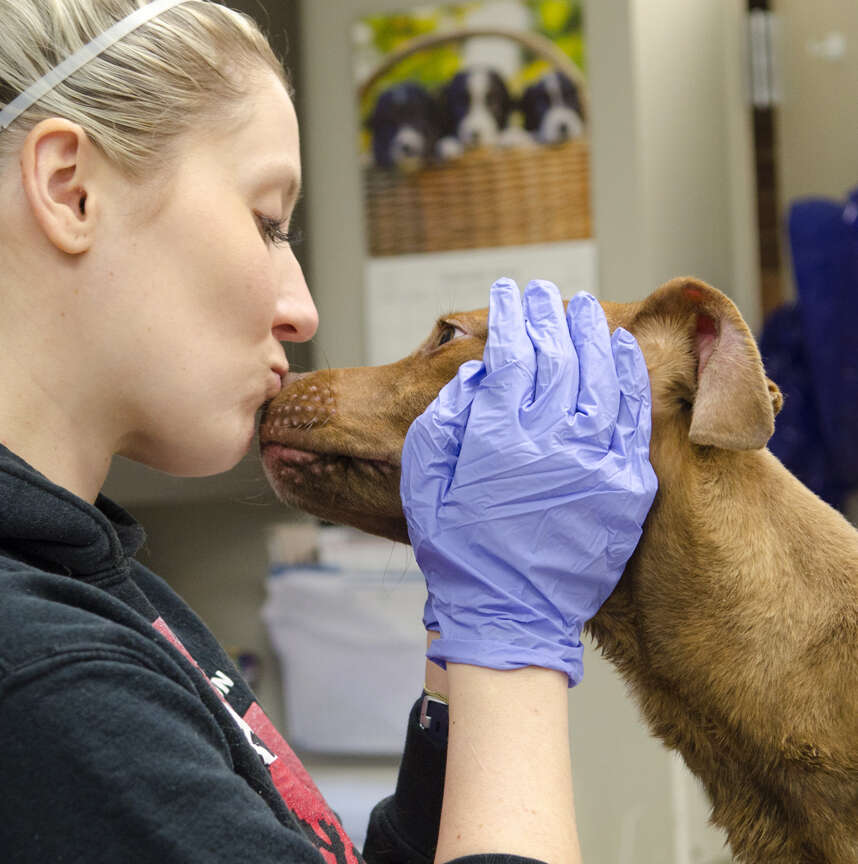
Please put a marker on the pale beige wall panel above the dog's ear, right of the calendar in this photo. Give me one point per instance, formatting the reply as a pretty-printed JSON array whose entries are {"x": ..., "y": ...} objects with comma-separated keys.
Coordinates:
[{"x": 693, "y": 147}]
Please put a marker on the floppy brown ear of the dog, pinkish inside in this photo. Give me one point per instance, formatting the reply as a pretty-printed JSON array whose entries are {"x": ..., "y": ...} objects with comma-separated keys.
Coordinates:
[{"x": 734, "y": 404}]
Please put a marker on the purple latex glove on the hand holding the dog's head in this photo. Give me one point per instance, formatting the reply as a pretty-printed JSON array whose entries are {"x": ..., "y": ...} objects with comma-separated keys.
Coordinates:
[{"x": 527, "y": 481}]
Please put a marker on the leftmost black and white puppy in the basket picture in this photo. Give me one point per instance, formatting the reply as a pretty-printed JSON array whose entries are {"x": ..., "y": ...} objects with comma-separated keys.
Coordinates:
[{"x": 405, "y": 127}]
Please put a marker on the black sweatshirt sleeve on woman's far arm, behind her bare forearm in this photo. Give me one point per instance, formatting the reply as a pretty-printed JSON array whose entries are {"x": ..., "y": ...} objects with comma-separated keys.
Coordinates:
[{"x": 403, "y": 828}]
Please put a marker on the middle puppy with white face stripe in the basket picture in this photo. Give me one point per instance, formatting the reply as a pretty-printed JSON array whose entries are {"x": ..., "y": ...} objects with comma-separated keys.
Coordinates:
[{"x": 475, "y": 109}]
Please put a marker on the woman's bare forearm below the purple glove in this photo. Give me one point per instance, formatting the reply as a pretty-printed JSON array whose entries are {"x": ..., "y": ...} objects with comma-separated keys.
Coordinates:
[{"x": 492, "y": 793}]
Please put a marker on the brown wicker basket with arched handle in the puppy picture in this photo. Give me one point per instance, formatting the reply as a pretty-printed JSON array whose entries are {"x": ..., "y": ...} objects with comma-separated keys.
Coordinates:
[{"x": 488, "y": 197}]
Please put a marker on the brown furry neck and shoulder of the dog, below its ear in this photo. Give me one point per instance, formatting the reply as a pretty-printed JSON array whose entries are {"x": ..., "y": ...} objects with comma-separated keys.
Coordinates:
[{"x": 720, "y": 709}]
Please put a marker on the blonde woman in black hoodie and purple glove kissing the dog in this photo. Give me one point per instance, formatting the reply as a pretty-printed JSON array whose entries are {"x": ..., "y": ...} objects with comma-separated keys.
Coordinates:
[{"x": 149, "y": 165}]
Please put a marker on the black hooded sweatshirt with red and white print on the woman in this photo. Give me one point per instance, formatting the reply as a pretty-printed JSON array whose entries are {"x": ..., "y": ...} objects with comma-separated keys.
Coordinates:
[{"x": 127, "y": 733}]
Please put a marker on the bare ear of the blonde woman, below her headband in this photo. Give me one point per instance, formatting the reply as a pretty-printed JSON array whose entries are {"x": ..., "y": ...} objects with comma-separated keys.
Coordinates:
[{"x": 57, "y": 164}]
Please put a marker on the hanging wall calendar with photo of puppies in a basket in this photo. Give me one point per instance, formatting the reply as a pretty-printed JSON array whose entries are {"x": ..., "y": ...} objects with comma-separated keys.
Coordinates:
[{"x": 474, "y": 156}]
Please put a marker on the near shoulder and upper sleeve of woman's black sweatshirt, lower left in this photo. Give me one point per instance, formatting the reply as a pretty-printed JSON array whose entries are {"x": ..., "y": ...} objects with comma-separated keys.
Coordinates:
[{"x": 107, "y": 760}]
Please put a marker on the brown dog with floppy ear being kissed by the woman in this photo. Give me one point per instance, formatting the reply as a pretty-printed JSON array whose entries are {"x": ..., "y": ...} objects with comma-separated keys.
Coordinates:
[{"x": 736, "y": 620}]
